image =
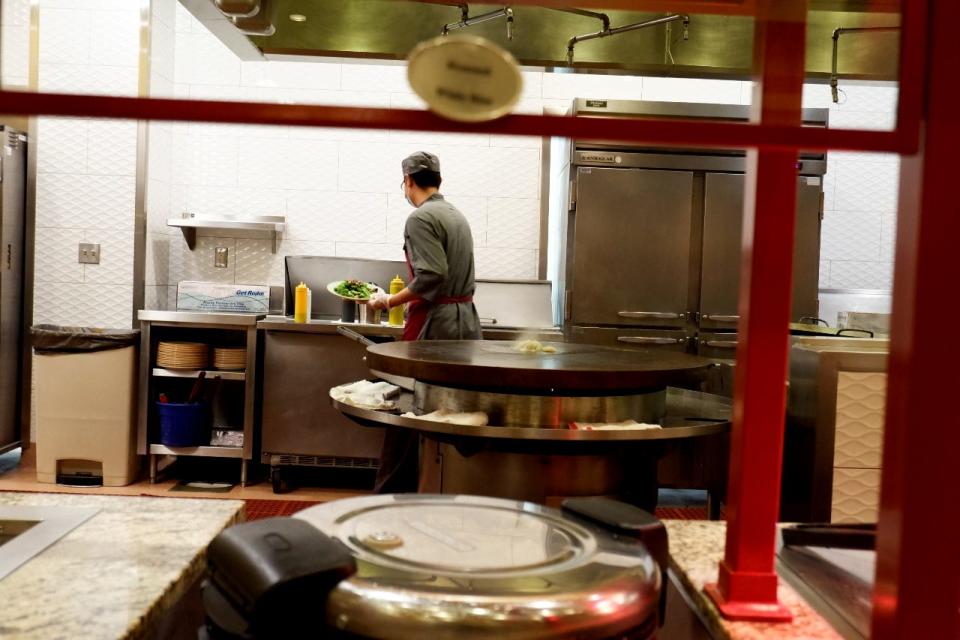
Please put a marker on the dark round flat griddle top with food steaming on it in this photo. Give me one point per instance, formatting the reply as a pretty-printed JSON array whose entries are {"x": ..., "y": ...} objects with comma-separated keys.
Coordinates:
[{"x": 494, "y": 364}]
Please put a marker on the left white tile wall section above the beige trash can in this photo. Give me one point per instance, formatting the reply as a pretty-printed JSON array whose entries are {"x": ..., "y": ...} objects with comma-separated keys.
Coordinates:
[{"x": 86, "y": 168}]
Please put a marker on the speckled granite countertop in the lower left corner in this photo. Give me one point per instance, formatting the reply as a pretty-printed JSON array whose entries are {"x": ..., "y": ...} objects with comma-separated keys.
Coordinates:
[{"x": 115, "y": 574}]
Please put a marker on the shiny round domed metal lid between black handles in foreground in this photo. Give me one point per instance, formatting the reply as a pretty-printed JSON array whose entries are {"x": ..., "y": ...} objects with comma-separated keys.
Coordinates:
[{"x": 442, "y": 566}]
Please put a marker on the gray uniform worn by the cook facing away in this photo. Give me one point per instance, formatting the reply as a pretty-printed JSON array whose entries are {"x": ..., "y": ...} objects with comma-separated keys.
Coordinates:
[{"x": 439, "y": 246}]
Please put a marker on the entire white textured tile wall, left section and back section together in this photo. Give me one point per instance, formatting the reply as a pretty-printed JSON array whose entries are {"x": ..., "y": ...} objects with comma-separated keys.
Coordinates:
[{"x": 339, "y": 188}]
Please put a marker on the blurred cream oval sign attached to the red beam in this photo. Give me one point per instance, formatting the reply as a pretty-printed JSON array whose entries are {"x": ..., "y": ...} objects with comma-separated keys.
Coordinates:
[{"x": 465, "y": 78}]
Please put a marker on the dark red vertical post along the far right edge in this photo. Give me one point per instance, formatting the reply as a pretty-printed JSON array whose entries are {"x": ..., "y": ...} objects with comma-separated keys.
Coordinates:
[{"x": 918, "y": 559}]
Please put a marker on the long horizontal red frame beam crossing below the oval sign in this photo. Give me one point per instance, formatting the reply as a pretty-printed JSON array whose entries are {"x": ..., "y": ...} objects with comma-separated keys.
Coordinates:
[{"x": 646, "y": 130}]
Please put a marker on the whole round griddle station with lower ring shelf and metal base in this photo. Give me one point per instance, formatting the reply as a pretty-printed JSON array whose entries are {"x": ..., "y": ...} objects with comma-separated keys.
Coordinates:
[{"x": 530, "y": 454}]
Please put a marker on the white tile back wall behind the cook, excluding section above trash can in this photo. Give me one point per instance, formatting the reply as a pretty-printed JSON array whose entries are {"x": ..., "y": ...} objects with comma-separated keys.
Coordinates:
[{"x": 494, "y": 179}]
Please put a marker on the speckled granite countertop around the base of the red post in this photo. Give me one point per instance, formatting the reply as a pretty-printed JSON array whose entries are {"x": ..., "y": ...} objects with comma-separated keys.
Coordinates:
[{"x": 696, "y": 548}]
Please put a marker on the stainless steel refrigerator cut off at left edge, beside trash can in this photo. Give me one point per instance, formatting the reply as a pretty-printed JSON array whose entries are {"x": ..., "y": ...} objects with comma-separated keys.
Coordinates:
[{"x": 12, "y": 225}]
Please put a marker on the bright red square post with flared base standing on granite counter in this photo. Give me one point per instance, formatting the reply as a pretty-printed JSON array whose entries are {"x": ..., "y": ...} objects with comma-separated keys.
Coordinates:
[{"x": 747, "y": 585}]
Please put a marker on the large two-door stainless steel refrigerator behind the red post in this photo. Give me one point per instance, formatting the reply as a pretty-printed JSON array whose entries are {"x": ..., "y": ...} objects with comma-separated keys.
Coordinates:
[{"x": 651, "y": 238}]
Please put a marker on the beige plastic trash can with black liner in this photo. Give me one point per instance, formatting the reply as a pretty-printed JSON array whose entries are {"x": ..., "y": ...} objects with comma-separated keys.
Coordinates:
[{"x": 86, "y": 396}]
